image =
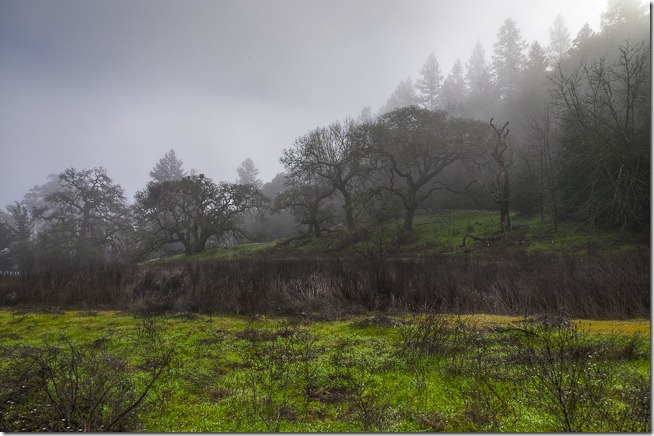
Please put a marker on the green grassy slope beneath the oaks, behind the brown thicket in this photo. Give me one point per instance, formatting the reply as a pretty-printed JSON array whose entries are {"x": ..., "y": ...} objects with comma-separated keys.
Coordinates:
[{"x": 446, "y": 232}]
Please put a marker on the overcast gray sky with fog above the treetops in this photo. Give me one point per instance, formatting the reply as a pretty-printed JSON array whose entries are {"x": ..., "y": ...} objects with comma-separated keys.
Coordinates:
[{"x": 118, "y": 83}]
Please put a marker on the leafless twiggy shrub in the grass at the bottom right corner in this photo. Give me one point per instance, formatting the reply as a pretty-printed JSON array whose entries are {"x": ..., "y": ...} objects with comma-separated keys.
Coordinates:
[{"x": 571, "y": 379}]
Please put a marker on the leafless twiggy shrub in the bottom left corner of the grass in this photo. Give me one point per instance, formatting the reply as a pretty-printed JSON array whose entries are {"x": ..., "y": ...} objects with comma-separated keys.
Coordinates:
[{"x": 71, "y": 387}]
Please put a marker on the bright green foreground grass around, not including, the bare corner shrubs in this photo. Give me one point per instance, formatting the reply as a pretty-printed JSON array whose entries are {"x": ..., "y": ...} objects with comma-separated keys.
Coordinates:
[{"x": 373, "y": 373}]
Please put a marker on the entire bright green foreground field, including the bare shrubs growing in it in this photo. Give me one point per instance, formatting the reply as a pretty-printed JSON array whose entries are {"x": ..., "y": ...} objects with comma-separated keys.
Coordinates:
[{"x": 99, "y": 370}]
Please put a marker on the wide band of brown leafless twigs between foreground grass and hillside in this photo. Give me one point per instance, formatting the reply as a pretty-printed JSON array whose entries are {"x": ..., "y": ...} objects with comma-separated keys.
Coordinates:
[{"x": 583, "y": 287}]
